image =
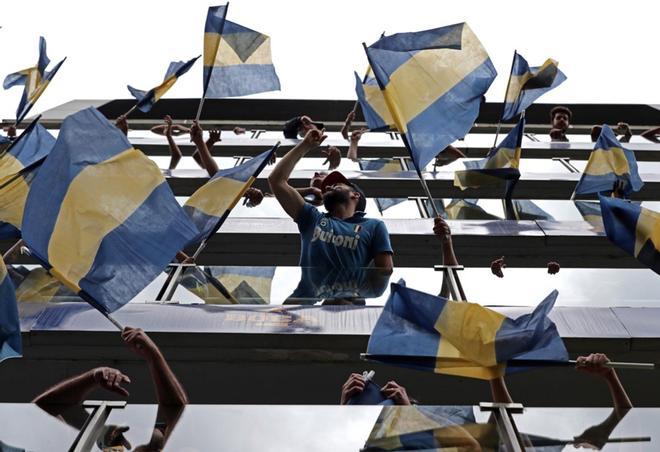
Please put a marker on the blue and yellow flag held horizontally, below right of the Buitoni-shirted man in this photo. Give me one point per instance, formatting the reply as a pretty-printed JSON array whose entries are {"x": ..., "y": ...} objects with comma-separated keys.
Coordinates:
[{"x": 430, "y": 333}]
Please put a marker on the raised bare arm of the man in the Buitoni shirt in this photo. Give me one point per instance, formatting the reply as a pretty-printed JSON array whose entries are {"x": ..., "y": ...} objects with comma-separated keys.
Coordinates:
[{"x": 288, "y": 197}]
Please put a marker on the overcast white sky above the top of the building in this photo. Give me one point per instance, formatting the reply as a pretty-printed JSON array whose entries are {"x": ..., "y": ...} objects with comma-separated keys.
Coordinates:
[{"x": 606, "y": 48}]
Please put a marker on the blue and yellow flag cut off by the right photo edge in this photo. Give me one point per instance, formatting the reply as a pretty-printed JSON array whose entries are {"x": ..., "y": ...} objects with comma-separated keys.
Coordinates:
[{"x": 634, "y": 229}]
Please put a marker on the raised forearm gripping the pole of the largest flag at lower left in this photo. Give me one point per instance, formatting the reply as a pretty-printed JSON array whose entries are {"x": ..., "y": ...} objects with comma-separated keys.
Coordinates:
[{"x": 168, "y": 389}]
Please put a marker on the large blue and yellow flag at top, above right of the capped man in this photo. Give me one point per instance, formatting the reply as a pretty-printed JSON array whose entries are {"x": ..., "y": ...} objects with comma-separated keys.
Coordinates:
[{"x": 433, "y": 82}]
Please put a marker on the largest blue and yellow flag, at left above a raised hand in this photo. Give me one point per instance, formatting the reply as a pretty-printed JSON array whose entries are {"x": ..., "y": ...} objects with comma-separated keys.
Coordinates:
[{"x": 100, "y": 215}]
